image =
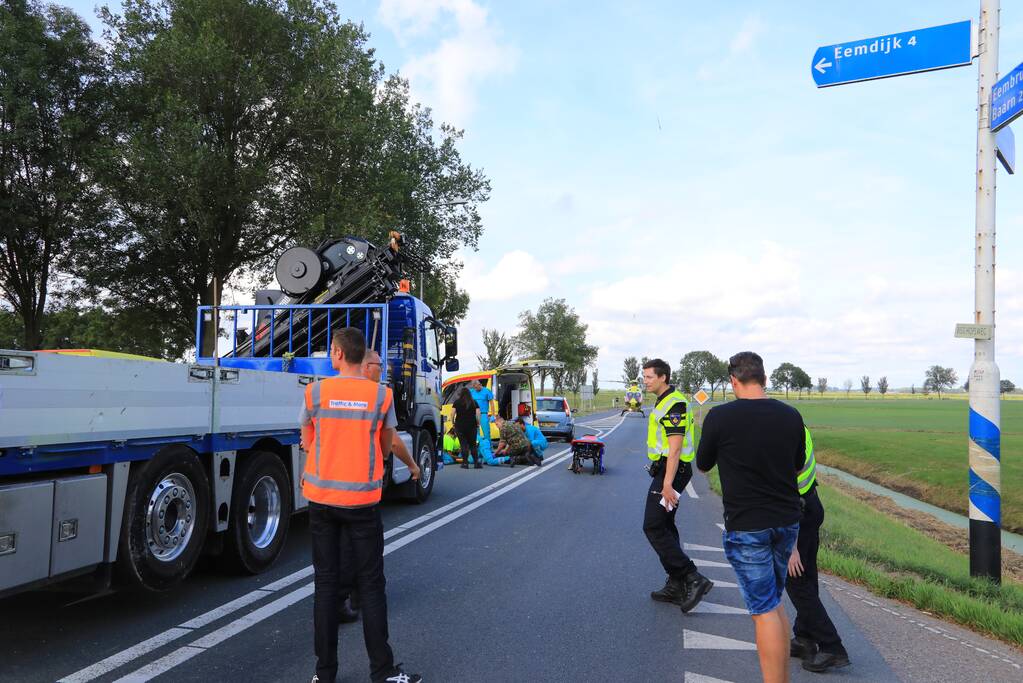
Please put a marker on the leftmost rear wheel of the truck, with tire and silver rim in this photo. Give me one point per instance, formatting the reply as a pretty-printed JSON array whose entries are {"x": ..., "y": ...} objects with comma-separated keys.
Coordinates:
[{"x": 167, "y": 513}]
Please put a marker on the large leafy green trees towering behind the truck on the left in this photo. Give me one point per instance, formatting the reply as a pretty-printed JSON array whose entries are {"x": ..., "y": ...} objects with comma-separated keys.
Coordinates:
[{"x": 142, "y": 176}]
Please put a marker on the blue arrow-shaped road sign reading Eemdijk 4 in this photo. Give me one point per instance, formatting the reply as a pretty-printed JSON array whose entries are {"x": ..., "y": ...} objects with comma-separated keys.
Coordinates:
[{"x": 896, "y": 55}]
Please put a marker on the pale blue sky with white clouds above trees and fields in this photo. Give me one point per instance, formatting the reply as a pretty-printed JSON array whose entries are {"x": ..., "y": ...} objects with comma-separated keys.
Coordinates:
[{"x": 672, "y": 171}]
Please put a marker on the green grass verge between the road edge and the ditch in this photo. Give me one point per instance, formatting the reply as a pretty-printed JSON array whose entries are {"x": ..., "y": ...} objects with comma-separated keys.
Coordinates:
[{"x": 897, "y": 562}]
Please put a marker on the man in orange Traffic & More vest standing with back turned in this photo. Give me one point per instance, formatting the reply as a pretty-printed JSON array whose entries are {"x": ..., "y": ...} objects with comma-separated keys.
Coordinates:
[{"x": 348, "y": 427}]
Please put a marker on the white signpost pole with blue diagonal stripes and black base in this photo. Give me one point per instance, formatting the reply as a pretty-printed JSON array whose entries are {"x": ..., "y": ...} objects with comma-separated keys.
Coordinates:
[{"x": 986, "y": 436}]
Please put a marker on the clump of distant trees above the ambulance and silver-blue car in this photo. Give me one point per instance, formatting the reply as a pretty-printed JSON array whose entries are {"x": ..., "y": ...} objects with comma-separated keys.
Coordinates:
[{"x": 554, "y": 333}]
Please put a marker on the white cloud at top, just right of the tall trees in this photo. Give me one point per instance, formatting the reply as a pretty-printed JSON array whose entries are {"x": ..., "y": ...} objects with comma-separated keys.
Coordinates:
[{"x": 447, "y": 78}]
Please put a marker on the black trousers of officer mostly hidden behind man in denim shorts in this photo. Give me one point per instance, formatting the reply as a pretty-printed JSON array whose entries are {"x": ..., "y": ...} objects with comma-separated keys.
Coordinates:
[{"x": 813, "y": 621}]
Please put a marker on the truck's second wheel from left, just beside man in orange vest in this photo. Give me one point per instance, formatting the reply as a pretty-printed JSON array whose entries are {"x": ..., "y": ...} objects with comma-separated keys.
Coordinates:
[{"x": 261, "y": 513}]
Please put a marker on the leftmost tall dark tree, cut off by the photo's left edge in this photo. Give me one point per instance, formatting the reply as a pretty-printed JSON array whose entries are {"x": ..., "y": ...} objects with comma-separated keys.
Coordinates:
[{"x": 53, "y": 98}]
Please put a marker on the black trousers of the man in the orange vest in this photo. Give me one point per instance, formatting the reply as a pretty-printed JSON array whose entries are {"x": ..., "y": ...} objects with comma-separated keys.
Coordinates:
[{"x": 352, "y": 539}]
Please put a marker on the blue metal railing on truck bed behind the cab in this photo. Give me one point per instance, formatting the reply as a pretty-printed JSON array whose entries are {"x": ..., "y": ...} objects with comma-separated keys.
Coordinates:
[{"x": 288, "y": 338}]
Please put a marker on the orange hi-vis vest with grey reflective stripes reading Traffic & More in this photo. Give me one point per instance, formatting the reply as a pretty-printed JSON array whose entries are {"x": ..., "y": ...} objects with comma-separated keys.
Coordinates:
[{"x": 344, "y": 462}]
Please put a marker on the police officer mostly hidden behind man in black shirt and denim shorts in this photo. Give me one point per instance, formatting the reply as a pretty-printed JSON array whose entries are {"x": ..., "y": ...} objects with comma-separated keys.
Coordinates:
[{"x": 816, "y": 641}]
